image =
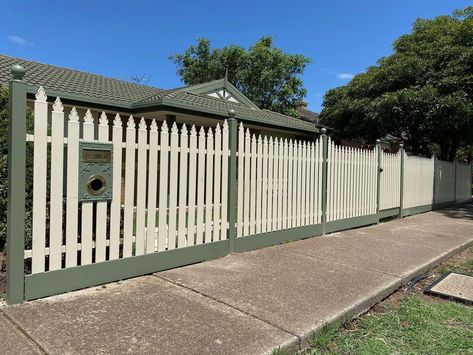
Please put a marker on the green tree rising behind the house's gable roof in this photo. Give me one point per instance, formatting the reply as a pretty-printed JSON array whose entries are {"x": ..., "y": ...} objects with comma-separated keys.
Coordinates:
[{"x": 265, "y": 74}]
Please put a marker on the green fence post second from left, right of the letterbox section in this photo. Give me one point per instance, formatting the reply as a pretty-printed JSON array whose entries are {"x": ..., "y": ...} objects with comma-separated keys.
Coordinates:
[{"x": 232, "y": 172}]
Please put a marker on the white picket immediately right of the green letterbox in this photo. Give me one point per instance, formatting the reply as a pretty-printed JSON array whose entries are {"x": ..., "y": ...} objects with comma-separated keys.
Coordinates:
[{"x": 115, "y": 207}]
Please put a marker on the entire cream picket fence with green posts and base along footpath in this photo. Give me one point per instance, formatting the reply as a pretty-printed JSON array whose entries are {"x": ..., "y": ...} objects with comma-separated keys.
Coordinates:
[{"x": 181, "y": 195}]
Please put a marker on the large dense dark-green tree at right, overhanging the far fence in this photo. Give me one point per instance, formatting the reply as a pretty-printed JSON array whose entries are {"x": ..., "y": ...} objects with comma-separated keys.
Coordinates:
[{"x": 421, "y": 94}]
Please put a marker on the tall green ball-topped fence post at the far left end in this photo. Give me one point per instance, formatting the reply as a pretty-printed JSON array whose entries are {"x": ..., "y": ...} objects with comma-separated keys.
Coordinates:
[{"x": 16, "y": 186}]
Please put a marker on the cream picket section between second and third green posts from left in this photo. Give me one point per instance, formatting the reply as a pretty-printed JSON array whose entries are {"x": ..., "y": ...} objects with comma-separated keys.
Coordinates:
[{"x": 279, "y": 183}]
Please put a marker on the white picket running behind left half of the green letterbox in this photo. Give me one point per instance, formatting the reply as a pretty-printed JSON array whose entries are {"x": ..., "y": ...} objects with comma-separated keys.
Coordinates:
[{"x": 87, "y": 206}]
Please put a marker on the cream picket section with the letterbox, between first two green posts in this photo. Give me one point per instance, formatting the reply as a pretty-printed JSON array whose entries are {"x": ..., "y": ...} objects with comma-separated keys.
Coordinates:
[{"x": 175, "y": 189}]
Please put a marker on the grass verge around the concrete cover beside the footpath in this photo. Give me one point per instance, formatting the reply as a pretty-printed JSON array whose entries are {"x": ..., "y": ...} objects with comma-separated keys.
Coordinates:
[{"x": 408, "y": 322}]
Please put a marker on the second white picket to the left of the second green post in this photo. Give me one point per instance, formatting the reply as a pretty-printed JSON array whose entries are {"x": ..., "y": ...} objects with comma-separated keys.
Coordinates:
[{"x": 217, "y": 185}]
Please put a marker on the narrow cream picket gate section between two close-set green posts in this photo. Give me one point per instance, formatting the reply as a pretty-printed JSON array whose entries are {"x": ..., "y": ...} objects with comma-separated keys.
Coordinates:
[{"x": 390, "y": 181}]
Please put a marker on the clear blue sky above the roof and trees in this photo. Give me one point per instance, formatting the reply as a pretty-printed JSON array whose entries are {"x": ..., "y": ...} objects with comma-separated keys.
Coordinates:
[{"x": 127, "y": 38}]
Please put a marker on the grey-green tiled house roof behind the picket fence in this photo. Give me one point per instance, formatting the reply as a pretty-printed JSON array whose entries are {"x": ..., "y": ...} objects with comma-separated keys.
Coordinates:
[{"x": 87, "y": 87}]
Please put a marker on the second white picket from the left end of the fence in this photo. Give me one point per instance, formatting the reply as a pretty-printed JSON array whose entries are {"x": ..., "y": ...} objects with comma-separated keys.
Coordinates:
[{"x": 57, "y": 174}]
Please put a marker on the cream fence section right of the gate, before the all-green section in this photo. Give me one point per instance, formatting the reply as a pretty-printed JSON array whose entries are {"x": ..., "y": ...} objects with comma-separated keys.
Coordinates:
[{"x": 418, "y": 181}]
